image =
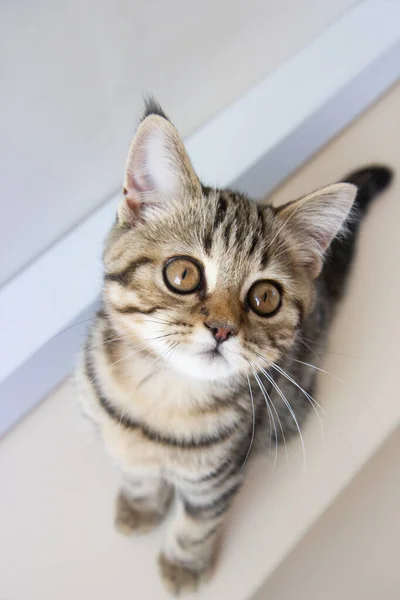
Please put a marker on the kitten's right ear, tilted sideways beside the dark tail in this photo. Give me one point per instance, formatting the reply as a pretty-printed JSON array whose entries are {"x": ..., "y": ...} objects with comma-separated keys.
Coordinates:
[{"x": 315, "y": 220}]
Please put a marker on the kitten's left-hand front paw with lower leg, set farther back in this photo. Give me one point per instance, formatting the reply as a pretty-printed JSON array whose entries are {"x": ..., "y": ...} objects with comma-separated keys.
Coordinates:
[{"x": 141, "y": 504}]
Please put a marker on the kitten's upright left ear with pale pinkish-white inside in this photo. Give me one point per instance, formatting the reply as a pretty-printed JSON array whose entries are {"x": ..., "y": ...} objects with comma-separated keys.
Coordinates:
[{"x": 157, "y": 172}]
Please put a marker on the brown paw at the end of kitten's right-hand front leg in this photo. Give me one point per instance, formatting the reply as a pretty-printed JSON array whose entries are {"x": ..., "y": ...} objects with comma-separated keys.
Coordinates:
[{"x": 179, "y": 579}]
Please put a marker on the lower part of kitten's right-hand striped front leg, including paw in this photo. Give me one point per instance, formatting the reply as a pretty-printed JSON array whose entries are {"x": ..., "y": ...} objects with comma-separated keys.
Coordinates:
[{"x": 190, "y": 551}]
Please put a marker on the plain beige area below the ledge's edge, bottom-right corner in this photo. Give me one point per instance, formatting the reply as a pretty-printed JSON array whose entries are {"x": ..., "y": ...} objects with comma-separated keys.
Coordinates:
[{"x": 352, "y": 553}]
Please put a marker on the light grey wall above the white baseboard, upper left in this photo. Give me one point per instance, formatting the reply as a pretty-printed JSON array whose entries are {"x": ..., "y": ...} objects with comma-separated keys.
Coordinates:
[{"x": 72, "y": 77}]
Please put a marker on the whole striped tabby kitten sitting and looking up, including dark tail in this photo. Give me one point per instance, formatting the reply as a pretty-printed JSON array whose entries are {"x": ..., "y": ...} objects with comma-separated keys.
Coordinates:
[{"x": 210, "y": 302}]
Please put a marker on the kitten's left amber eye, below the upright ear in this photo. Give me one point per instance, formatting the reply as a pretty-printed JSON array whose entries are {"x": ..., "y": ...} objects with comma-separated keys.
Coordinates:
[{"x": 182, "y": 275}]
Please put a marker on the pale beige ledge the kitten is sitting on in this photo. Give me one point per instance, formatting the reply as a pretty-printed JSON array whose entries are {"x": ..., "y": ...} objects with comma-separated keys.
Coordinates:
[{"x": 58, "y": 488}]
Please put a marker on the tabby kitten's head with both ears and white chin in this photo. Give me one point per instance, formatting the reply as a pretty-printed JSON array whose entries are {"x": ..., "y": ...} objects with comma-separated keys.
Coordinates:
[{"x": 203, "y": 279}]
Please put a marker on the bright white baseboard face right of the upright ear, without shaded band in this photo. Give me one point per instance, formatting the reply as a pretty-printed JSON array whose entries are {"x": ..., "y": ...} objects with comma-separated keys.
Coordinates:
[{"x": 258, "y": 121}]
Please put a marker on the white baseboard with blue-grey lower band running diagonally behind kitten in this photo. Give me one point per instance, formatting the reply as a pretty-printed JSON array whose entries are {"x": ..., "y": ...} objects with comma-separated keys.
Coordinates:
[{"x": 259, "y": 140}]
